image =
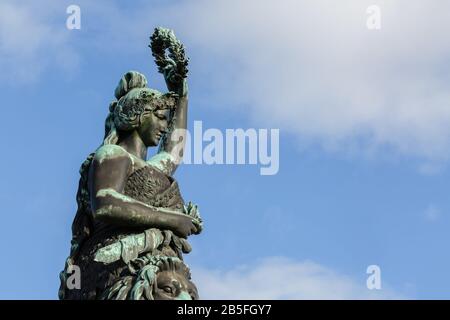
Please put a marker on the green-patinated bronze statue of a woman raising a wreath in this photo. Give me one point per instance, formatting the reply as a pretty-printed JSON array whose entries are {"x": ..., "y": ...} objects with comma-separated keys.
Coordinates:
[{"x": 132, "y": 224}]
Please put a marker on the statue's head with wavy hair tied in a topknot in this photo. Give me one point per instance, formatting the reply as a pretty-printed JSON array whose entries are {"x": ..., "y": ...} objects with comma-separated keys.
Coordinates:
[{"x": 138, "y": 108}]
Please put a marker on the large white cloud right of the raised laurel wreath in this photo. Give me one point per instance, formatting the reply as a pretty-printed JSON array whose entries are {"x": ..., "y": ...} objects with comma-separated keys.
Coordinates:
[{"x": 314, "y": 69}]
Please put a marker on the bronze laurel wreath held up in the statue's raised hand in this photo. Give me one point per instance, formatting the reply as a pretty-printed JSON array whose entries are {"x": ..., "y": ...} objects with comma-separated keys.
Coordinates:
[{"x": 164, "y": 39}]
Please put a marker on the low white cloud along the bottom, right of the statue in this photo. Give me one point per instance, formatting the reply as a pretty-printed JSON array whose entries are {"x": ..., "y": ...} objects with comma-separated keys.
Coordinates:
[{"x": 282, "y": 278}]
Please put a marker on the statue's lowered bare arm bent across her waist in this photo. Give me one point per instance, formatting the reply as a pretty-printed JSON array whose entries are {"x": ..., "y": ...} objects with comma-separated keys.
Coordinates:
[{"x": 108, "y": 175}]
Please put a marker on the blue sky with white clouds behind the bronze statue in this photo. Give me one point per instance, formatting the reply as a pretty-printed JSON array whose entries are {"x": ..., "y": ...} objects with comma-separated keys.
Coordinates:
[{"x": 364, "y": 121}]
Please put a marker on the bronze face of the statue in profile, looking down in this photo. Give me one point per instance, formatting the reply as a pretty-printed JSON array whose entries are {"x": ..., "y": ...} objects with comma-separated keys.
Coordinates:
[{"x": 153, "y": 126}]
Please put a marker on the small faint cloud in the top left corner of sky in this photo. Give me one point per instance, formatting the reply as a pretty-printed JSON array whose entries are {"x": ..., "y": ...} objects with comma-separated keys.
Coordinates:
[{"x": 30, "y": 42}]
